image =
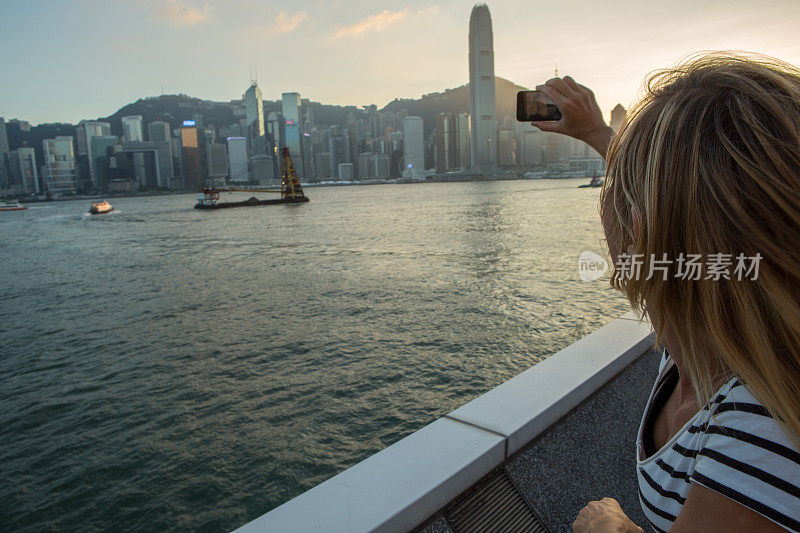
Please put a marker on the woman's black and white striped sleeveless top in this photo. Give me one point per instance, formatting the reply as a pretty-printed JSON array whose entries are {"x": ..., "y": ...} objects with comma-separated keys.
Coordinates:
[{"x": 732, "y": 446}]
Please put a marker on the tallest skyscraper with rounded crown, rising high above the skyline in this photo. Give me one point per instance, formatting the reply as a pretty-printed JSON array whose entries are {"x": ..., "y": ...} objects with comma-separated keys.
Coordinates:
[{"x": 483, "y": 144}]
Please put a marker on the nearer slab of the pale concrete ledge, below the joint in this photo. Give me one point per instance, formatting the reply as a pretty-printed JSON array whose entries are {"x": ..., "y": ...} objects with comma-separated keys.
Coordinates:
[{"x": 395, "y": 489}]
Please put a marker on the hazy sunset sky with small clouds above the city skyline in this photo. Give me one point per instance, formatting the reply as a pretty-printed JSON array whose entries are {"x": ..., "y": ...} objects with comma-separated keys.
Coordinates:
[{"x": 67, "y": 60}]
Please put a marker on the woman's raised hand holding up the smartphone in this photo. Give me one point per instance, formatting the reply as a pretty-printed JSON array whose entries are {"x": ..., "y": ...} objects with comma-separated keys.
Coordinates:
[{"x": 581, "y": 117}]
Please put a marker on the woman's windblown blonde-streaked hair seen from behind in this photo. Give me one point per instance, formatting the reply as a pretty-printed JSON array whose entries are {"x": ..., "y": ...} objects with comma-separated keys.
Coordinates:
[{"x": 709, "y": 162}]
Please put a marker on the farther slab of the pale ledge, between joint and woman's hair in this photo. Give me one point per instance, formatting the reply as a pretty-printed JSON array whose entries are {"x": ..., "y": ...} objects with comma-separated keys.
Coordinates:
[{"x": 524, "y": 406}]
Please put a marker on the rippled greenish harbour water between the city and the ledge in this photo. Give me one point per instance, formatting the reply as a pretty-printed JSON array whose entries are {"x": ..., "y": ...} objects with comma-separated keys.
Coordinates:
[{"x": 164, "y": 368}]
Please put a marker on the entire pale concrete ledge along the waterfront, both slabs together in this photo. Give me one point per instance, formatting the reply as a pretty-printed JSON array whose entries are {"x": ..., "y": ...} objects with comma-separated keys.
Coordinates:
[{"x": 403, "y": 485}]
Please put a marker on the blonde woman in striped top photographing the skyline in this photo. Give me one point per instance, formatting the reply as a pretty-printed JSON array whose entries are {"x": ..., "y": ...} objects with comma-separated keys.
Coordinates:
[{"x": 708, "y": 164}]
